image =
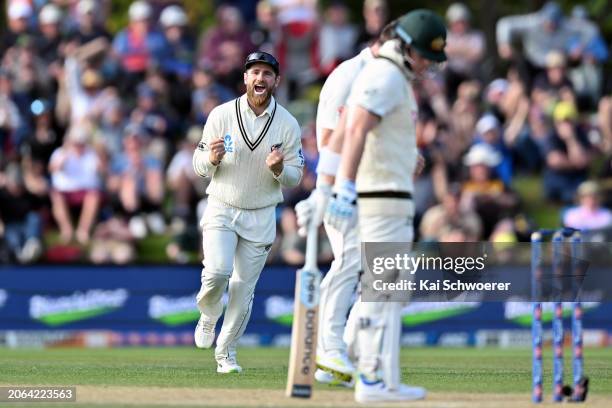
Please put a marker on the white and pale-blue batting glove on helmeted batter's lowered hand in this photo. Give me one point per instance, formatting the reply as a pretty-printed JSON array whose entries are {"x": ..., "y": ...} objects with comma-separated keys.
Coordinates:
[{"x": 341, "y": 212}]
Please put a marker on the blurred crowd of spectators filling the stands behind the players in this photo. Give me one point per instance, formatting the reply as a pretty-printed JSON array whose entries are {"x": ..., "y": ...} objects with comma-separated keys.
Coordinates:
[{"x": 97, "y": 130}]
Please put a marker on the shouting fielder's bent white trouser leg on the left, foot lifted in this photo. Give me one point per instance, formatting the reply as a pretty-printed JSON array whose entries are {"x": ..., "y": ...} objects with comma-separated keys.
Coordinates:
[{"x": 219, "y": 247}]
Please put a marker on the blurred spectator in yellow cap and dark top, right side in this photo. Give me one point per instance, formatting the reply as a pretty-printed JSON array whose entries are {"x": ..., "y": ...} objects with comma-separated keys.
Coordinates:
[{"x": 568, "y": 155}]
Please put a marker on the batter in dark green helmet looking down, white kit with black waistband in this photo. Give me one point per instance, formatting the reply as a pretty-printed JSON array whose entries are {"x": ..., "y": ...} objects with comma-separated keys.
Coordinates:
[{"x": 379, "y": 156}]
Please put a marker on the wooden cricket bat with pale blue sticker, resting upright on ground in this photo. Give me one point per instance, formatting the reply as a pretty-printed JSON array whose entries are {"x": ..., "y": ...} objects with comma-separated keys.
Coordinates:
[{"x": 302, "y": 358}]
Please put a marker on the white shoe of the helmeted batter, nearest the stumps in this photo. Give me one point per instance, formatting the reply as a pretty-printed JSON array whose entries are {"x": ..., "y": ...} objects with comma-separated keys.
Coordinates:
[{"x": 376, "y": 391}]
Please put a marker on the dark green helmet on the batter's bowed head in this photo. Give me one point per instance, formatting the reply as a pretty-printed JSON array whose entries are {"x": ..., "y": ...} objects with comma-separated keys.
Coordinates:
[{"x": 424, "y": 31}]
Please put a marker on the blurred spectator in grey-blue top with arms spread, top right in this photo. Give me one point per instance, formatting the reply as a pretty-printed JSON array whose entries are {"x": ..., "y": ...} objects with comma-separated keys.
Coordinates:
[{"x": 539, "y": 33}]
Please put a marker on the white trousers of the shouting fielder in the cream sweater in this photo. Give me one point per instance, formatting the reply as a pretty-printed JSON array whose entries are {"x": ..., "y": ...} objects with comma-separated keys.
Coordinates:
[{"x": 236, "y": 245}]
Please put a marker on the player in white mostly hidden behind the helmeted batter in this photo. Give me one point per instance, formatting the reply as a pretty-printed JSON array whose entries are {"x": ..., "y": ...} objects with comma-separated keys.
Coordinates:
[{"x": 338, "y": 286}]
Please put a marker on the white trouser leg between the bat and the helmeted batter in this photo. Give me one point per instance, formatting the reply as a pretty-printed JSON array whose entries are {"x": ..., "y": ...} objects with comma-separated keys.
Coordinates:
[{"x": 337, "y": 289}]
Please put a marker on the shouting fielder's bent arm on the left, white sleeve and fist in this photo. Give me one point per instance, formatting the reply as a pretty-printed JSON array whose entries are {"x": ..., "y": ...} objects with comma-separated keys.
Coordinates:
[{"x": 209, "y": 153}]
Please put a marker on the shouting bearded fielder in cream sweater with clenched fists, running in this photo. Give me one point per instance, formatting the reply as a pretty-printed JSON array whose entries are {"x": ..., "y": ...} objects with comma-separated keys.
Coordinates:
[{"x": 250, "y": 147}]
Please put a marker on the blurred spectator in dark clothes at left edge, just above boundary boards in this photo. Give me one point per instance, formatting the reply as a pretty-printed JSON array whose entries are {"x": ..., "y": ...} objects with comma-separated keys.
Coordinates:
[{"x": 19, "y": 216}]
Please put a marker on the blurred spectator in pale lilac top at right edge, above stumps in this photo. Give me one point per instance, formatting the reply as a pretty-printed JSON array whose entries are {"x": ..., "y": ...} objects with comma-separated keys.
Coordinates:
[{"x": 589, "y": 214}]
